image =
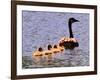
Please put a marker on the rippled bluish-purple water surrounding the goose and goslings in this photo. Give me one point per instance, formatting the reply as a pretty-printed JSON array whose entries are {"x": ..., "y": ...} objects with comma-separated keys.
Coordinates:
[{"x": 43, "y": 28}]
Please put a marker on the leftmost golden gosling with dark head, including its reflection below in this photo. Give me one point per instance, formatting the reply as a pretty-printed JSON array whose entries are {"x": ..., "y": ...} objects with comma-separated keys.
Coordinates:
[{"x": 37, "y": 55}]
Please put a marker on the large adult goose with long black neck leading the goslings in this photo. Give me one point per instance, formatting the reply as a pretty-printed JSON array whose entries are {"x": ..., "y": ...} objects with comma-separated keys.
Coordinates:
[{"x": 71, "y": 42}]
